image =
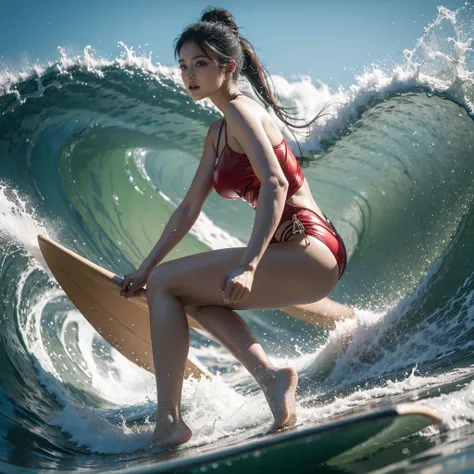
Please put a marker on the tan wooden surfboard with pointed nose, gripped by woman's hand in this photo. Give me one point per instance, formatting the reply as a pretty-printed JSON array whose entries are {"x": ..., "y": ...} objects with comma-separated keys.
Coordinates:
[{"x": 122, "y": 322}]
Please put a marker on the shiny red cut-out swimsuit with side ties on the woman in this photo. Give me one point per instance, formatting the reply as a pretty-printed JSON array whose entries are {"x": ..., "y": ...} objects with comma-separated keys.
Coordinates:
[{"x": 234, "y": 178}]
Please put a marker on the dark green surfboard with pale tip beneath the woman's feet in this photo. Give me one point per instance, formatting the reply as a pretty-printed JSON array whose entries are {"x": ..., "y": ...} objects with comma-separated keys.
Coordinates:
[{"x": 301, "y": 449}]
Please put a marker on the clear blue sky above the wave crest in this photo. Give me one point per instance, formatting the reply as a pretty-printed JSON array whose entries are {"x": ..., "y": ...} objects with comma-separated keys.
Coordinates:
[{"x": 329, "y": 40}]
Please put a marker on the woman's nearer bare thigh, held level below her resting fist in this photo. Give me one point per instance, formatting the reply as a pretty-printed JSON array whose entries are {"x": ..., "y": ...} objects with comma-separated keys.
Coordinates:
[{"x": 289, "y": 273}]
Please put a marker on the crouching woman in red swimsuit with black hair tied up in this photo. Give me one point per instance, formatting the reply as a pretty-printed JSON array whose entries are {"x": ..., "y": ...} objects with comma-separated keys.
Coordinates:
[{"x": 294, "y": 255}]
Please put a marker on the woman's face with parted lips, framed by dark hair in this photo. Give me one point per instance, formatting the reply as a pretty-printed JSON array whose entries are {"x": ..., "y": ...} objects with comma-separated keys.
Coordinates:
[{"x": 198, "y": 70}]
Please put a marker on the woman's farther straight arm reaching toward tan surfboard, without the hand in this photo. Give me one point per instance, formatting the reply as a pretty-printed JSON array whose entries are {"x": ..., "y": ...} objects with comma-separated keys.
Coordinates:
[{"x": 189, "y": 209}]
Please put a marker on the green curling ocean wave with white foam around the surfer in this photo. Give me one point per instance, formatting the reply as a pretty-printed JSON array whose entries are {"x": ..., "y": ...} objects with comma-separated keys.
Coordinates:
[{"x": 96, "y": 153}]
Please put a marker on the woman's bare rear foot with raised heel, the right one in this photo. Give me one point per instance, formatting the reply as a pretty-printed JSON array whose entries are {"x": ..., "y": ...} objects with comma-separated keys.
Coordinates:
[{"x": 280, "y": 391}]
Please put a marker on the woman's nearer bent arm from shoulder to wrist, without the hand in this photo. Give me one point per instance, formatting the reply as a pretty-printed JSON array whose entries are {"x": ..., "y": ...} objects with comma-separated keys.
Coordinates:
[{"x": 252, "y": 137}]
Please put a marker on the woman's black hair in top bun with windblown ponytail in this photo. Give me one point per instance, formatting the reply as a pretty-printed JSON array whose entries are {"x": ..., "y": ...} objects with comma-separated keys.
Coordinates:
[{"x": 218, "y": 32}]
